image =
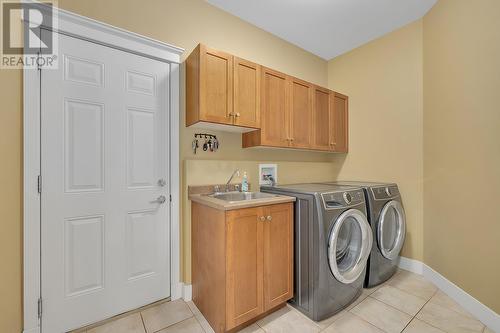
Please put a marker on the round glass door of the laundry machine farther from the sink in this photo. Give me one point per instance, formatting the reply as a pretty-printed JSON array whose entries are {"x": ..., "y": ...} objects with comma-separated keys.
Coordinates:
[{"x": 391, "y": 229}]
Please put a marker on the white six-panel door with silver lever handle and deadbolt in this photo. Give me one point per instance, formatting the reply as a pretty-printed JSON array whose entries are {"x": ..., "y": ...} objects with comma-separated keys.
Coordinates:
[{"x": 104, "y": 160}]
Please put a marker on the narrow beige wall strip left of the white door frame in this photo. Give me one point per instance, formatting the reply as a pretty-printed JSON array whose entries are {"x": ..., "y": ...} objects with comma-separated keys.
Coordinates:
[{"x": 10, "y": 201}]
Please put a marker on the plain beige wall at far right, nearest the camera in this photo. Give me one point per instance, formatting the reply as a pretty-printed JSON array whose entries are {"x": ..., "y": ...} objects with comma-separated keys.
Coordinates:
[{"x": 462, "y": 145}]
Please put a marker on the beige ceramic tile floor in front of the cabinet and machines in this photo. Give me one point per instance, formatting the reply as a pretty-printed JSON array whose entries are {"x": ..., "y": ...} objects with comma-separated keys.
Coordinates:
[{"x": 406, "y": 303}]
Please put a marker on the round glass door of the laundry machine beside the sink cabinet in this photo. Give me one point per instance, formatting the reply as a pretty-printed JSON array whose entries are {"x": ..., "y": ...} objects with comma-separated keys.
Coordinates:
[{"x": 349, "y": 245}]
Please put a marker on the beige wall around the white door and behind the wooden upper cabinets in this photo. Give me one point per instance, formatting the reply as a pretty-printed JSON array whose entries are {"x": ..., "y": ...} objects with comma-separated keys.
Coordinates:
[{"x": 184, "y": 23}]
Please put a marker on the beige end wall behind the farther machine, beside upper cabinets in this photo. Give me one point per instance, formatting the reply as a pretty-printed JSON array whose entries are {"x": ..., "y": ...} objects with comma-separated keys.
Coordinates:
[{"x": 384, "y": 82}]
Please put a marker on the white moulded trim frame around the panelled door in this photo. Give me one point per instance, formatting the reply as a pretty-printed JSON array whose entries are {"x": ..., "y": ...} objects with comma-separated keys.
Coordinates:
[{"x": 91, "y": 30}]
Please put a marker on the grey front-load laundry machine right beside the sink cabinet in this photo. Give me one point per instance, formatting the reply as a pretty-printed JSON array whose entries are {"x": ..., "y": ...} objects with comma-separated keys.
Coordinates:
[{"x": 333, "y": 240}]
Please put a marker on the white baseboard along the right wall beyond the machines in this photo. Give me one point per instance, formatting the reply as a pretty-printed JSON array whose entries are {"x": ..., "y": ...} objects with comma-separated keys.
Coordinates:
[{"x": 486, "y": 315}]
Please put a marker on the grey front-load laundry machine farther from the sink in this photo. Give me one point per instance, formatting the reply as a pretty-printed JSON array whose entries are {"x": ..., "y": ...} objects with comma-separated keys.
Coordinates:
[{"x": 388, "y": 222}]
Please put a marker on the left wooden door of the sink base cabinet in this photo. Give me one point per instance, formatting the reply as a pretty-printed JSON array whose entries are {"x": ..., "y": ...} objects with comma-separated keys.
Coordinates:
[{"x": 244, "y": 261}]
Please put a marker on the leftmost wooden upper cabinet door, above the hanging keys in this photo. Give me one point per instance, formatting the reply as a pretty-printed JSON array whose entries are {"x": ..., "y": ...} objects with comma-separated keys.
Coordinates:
[{"x": 216, "y": 86}]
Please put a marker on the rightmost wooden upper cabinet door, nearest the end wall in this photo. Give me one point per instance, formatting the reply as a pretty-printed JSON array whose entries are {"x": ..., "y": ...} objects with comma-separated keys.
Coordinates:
[{"x": 339, "y": 122}]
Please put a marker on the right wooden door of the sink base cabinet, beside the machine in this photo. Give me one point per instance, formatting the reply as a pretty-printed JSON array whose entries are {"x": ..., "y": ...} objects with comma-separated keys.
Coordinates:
[{"x": 278, "y": 255}]
